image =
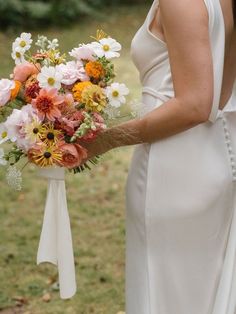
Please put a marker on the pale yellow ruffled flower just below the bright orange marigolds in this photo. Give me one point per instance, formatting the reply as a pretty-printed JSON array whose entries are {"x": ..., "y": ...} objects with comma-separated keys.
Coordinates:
[{"x": 94, "y": 98}]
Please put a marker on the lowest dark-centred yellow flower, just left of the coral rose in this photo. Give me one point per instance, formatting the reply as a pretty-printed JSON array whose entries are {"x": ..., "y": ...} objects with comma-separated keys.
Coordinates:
[{"x": 45, "y": 156}]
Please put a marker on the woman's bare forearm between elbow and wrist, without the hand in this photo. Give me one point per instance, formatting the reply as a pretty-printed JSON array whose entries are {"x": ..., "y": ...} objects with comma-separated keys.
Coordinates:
[{"x": 169, "y": 119}]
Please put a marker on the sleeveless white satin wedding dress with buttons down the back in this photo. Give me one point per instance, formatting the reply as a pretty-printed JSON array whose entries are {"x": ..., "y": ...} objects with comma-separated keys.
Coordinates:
[{"x": 181, "y": 195}]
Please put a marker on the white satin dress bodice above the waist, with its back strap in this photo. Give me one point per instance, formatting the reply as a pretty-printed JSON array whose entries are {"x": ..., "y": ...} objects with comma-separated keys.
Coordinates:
[{"x": 150, "y": 55}]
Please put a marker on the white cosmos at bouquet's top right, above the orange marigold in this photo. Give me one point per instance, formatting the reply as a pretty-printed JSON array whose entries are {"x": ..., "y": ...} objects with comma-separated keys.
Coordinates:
[{"x": 107, "y": 47}]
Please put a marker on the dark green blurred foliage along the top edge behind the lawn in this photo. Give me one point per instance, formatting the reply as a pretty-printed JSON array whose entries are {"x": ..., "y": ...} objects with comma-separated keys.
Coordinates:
[{"x": 35, "y": 13}]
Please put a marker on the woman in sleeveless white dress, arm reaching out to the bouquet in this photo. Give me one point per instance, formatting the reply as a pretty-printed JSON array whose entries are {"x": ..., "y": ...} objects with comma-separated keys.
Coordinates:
[{"x": 181, "y": 196}]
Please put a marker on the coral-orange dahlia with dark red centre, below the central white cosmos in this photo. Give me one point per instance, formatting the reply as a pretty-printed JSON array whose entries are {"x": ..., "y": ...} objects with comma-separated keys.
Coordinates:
[{"x": 47, "y": 103}]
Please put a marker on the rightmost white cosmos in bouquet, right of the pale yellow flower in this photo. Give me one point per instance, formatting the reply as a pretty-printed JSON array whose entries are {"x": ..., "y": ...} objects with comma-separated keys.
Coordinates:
[{"x": 116, "y": 94}]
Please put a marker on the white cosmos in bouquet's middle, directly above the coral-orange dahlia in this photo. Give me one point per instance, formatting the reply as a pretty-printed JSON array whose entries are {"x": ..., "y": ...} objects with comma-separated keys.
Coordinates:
[{"x": 50, "y": 77}]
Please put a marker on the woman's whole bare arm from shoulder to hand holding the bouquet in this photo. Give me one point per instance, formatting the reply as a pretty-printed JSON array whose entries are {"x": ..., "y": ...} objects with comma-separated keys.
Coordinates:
[{"x": 185, "y": 24}]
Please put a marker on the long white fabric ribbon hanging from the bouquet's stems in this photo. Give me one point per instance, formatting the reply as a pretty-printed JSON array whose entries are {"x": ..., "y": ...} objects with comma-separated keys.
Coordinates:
[{"x": 55, "y": 244}]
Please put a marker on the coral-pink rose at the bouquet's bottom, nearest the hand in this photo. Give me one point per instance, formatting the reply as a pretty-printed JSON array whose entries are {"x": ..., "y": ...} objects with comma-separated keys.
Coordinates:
[{"x": 72, "y": 155}]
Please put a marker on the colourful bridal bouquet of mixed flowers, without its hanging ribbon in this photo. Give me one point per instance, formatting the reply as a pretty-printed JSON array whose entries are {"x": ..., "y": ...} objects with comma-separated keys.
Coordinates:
[{"x": 51, "y": 104}]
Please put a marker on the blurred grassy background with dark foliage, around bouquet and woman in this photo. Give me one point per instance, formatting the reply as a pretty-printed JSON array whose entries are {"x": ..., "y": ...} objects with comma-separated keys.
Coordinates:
[{"x": 96, "y": 199}]
